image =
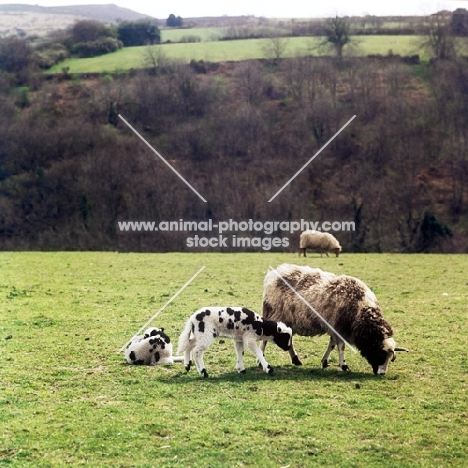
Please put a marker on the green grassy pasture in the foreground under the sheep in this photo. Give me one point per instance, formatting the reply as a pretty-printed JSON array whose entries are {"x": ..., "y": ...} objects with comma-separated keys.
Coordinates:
[{"x": 68, "y": 399}]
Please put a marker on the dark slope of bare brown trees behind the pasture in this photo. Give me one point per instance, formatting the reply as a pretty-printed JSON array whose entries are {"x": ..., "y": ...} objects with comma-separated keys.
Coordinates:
[{"x": 70, "y": 169}]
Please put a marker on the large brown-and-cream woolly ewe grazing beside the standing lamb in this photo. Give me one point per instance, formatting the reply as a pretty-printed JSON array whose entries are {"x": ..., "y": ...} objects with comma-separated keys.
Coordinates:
[{"x": 348, "y": 309}]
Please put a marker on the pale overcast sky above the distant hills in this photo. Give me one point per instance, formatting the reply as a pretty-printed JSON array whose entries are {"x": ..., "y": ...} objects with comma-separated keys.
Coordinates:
[{"x": 269, "y": 8}]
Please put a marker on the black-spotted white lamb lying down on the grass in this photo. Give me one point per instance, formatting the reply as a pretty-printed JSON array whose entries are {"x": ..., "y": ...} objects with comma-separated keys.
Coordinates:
[{"x": 153, "y": 348}]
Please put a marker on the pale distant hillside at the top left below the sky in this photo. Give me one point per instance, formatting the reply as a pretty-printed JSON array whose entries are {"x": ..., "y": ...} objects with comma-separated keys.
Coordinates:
[{"x": 28, "y": 20}]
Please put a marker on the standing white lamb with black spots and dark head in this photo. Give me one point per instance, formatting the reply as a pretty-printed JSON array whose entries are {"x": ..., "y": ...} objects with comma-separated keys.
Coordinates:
[{"x": 242, "y": 325}]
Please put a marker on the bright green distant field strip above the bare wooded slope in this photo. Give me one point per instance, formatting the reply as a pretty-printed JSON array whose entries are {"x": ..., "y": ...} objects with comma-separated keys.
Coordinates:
[{"x": 218, "y": 51}]
